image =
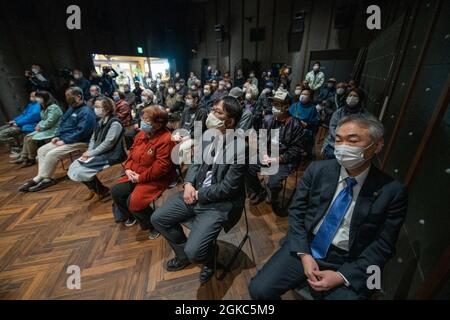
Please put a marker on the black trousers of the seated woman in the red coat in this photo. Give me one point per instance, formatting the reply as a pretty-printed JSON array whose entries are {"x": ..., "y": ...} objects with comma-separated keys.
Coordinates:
[{"x": 121, "y": 194}]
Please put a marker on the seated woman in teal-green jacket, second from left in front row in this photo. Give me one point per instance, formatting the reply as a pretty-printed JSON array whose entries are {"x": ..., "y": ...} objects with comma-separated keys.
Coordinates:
[{"x": 45, "y": 129}]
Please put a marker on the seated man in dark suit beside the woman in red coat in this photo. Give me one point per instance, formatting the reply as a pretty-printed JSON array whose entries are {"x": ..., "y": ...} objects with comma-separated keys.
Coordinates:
[{"x": 213, "y": 197}]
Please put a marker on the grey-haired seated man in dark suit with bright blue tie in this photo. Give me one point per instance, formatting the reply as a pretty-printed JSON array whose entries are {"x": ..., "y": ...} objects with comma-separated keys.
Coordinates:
[{"x": 345, "y": 217}]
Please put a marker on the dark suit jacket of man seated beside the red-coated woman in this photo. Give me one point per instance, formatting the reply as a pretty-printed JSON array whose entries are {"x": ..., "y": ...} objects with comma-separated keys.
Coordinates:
[{"x": 227, "y": 191}]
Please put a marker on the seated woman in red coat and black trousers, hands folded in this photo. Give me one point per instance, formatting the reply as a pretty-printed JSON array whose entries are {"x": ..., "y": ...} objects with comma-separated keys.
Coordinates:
[{"x": 149, "y": 170}]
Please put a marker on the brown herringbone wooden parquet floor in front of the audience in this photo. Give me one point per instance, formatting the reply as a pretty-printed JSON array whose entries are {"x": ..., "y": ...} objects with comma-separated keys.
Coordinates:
[{"x": 43, "y": 233}]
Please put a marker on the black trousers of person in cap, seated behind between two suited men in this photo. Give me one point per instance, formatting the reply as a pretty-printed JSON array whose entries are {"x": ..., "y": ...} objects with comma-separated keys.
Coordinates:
[{"x": 274, "y": 183}]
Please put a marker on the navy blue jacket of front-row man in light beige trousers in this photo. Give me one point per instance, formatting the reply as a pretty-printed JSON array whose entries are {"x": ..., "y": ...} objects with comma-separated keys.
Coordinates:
[{"x": 77, "y": 125}]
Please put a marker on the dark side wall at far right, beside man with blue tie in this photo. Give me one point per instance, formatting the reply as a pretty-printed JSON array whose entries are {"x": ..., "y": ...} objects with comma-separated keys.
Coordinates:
[{"x": 424, "y": 236}]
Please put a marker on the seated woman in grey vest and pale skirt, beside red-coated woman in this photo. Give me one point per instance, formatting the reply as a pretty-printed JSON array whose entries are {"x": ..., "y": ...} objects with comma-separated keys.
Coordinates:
[{"x": 106, "y": 148}]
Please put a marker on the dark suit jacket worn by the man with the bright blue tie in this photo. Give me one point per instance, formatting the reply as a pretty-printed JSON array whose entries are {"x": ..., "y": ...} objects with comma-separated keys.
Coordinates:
[{"x": 379, "y": 213}]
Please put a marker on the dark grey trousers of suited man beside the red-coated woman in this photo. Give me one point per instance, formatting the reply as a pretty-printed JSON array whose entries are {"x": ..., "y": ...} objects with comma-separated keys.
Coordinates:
[{"x": 206, "y": 224}]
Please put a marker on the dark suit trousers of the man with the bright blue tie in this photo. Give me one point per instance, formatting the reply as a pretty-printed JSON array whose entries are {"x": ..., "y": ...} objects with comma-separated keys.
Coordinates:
[{"x": 284, "y": 271}]
